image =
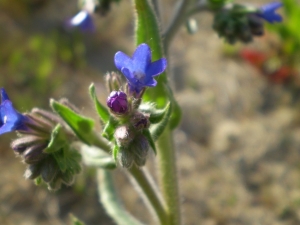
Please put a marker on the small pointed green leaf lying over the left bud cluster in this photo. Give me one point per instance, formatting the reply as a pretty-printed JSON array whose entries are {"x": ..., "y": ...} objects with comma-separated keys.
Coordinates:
[{"x": 57, "y": 141}]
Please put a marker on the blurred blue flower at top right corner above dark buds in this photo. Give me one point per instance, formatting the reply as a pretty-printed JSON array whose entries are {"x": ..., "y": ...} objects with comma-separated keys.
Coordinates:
[{"x": 268, "y": 12}]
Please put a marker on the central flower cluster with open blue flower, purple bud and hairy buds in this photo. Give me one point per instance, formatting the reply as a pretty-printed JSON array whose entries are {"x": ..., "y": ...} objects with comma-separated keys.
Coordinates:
[{"x": 129, "y": 123}]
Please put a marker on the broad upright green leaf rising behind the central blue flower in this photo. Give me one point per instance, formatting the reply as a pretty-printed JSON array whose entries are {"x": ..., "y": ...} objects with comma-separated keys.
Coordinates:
[{"x": 147, "y": 31}]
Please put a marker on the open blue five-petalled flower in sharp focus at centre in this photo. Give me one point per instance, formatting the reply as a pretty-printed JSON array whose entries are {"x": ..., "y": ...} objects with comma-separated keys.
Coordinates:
[{"x": 139, "y": 70}]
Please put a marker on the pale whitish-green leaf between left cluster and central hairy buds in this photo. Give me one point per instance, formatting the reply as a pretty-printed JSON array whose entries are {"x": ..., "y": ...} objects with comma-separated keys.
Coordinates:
[{"x": 93, "y": 156}]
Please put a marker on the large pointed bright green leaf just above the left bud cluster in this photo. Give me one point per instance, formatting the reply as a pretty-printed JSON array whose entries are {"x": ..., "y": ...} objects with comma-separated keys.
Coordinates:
[{"x": 82, "y": 126}]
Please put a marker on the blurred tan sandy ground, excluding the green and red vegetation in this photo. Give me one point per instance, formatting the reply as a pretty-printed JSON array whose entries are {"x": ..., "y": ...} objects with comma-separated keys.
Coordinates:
[{"x": 237, "y": 146}]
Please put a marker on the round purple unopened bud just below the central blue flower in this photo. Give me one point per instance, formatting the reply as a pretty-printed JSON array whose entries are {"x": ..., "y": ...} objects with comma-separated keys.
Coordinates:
[{"x": 117, "y": 102}]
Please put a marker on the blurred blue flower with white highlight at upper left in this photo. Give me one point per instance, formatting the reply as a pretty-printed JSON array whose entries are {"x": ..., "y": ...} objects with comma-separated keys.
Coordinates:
[{"x": 83, "y": 20}]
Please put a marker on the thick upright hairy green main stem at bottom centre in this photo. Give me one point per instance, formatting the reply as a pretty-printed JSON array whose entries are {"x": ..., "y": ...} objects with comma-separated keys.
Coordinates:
[{"x": 168, "y": 176}]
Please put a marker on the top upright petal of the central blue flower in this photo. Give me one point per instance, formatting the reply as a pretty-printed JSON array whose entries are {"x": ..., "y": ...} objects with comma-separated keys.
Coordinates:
[{"x": 142, "y": 57}]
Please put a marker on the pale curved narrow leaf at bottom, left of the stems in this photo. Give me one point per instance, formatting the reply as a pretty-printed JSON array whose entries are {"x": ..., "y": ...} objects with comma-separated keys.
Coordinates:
[{"x": 110, "y": 201}]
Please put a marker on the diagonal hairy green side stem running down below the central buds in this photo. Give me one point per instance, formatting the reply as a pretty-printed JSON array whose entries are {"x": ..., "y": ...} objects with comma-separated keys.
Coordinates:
[{"x": 144, "y": 182}]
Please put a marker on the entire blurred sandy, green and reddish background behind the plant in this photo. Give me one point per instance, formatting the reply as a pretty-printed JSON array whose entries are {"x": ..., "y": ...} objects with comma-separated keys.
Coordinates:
[{"x": 238, "y": 145}]
